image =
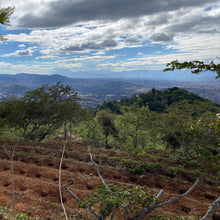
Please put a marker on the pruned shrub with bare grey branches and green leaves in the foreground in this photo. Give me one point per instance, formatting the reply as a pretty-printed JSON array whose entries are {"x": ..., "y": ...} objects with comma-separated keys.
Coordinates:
[{"x": 111, "y": 198}]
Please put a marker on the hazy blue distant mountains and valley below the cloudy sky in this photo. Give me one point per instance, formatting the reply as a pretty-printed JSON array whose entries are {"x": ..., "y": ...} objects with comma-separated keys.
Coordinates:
[{"x": 94, "y": 91}]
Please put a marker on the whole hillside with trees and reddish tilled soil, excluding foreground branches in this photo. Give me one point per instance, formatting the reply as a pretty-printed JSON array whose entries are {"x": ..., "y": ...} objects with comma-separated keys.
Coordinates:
[{"x": 167, "y": 148}]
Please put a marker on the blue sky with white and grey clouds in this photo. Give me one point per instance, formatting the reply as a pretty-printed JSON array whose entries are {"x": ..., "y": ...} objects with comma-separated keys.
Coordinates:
[{"x": 108, "y": 37}]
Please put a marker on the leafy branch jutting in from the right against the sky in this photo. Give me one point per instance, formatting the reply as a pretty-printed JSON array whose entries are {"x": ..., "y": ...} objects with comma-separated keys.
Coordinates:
[{"x": 195, "y": 66}]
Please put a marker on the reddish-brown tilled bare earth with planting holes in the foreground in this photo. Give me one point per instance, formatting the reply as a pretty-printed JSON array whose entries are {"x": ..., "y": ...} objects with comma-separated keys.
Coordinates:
[{"x": 36, "y": 182}]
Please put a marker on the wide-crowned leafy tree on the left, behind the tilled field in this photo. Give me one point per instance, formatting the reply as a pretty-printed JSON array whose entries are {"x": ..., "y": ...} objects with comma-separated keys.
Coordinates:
[{"x": 40, "y": 111}]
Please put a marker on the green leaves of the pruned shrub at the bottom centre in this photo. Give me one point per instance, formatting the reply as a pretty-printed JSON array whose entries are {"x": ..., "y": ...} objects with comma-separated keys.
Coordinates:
[{"x": 115, "y": 197}]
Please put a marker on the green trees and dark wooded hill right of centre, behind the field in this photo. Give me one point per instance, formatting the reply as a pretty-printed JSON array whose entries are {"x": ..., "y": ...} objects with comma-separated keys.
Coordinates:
[{"x": 180, "y": 120}]
